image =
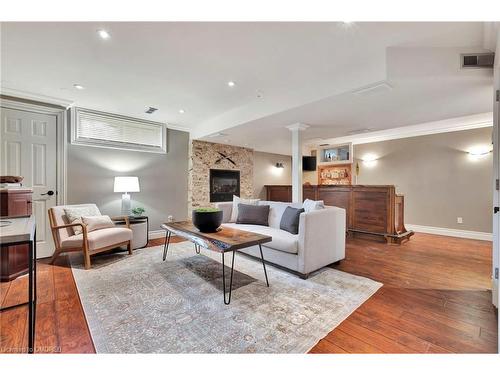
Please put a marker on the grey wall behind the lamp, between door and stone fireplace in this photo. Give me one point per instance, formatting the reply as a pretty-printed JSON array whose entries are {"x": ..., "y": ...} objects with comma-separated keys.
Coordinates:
[{"x": 162, "y": 178}]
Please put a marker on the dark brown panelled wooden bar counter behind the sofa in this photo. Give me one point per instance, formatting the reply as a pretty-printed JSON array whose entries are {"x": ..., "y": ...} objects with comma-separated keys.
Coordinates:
[{"x": 370, "y": 209}]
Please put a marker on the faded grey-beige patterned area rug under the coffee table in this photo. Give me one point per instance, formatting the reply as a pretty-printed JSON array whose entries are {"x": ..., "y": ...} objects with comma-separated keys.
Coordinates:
[{"x": 140, "y": 304}]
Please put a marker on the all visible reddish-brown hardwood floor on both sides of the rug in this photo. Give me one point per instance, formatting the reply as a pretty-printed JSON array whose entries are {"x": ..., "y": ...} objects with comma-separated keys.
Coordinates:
[{"x": 435, "y": 299}]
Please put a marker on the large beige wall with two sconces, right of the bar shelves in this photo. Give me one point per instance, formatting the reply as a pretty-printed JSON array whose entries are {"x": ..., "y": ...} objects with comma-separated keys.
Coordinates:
[{"x": 439, "y": 180}]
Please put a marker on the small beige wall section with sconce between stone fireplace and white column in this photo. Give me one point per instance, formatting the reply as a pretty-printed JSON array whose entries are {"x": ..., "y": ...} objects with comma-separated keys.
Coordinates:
[{"x": 265, "y": 172}]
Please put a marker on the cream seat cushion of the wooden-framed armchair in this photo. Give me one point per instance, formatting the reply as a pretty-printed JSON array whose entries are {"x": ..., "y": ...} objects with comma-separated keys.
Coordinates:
[{"x": 99, "y": 238}]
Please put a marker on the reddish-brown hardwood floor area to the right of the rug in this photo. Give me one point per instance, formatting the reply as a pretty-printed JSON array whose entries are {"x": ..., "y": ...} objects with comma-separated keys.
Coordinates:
[{"x": 435, "y": 298}]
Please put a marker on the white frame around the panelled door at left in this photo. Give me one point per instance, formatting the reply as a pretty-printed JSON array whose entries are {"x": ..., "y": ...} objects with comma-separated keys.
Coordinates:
[{"x": 61, "y": 114}]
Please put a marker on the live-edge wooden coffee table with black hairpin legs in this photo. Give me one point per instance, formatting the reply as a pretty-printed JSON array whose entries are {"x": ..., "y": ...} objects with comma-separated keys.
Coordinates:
[{"x": 223, "y": 241}]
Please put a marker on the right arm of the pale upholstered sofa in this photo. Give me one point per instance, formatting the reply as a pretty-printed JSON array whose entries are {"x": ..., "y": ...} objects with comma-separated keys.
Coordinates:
[{"x": 321, "y": 238}]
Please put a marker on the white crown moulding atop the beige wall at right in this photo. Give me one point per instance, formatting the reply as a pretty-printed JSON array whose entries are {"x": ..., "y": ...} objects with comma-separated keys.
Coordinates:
[{"x": 482, "y": 120}]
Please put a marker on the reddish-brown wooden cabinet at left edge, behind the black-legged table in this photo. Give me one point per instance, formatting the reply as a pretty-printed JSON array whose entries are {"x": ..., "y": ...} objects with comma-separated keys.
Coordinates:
[{"x": 14, "y": 202}]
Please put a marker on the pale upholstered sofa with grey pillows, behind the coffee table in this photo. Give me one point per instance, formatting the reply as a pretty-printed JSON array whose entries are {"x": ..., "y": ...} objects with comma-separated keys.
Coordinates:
[{"x": 320, "y": 242}]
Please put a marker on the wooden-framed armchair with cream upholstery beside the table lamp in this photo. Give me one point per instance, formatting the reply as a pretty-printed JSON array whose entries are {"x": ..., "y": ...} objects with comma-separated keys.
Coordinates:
[{"x": 89, "y": 243}]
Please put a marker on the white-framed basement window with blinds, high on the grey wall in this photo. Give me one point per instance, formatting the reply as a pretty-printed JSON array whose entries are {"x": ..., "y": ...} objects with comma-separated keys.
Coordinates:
[{"x": 100, "y": 129}]
